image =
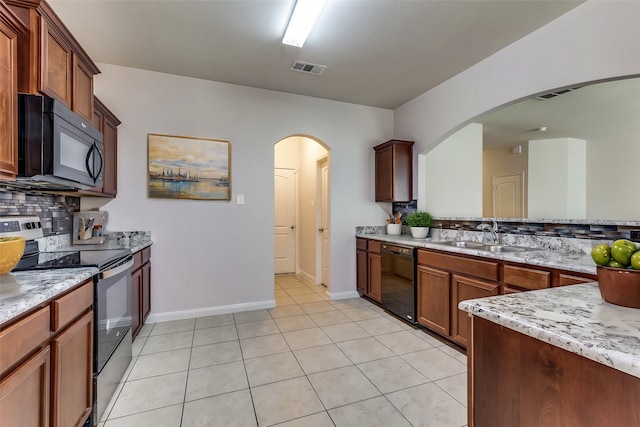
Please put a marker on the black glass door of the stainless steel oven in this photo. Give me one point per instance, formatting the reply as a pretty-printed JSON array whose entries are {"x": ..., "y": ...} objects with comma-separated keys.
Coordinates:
[{"x": 112, "y": 309}]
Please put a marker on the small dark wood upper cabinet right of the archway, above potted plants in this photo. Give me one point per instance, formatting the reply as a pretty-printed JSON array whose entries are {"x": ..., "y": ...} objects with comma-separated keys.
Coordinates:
[{"x": 394, "y": 171}]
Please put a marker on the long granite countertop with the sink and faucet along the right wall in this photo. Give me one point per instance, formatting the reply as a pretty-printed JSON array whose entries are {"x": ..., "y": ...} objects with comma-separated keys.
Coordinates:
[{"x": 553, "y": 258}]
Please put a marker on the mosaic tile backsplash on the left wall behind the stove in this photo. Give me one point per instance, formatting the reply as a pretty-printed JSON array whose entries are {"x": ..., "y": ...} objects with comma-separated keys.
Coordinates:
[{"x": 55, "y": 211}]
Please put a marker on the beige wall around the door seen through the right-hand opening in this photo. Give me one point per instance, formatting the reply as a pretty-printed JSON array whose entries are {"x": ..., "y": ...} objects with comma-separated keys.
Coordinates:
[{"x": 502, "y": 162}]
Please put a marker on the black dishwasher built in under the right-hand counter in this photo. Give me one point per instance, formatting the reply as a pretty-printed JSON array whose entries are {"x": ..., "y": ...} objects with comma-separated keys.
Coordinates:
[{"x": 398, "y": 281}]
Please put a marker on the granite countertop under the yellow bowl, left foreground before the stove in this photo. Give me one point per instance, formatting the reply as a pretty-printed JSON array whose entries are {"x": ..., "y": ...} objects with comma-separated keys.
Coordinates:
[{"x": 23, "y": 290}]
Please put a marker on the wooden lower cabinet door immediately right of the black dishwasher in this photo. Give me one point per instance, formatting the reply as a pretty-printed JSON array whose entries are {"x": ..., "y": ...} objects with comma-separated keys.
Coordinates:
[{"x": 434, "y": 299}]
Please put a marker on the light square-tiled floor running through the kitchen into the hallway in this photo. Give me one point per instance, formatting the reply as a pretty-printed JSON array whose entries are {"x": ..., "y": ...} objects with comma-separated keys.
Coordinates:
[{"x": 308, "y": 362}]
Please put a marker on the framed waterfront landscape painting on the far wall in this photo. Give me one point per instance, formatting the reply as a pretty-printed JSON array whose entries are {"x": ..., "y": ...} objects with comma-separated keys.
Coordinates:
[{"x": 182, "y": 167}]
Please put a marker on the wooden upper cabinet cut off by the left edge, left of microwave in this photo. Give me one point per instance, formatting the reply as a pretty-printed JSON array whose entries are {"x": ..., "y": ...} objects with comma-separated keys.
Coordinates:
[{"x": 10, "y": 29}]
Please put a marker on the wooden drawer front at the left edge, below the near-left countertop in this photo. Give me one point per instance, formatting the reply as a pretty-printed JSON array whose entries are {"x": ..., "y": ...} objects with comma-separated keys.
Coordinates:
[{"x": 21, "y": 338}]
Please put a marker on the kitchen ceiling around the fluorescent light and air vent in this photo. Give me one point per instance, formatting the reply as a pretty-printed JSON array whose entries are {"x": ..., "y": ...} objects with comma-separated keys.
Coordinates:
[{"x": 380, "y": 53}]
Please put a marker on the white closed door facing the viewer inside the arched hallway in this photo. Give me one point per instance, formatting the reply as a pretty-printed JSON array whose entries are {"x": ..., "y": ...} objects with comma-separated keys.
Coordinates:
[{"x": 285, "y": 224}]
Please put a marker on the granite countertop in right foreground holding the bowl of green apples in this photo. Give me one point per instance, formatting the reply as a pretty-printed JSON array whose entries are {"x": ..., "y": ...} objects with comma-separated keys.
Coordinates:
[{"x": 574, "y": 318}]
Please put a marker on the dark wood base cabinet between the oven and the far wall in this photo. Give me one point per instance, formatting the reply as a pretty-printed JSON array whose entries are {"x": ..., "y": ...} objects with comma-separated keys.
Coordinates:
[{"x": 140, "y": 289}]
